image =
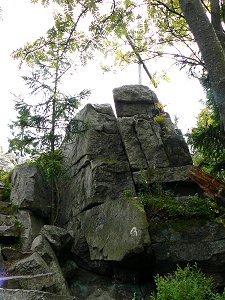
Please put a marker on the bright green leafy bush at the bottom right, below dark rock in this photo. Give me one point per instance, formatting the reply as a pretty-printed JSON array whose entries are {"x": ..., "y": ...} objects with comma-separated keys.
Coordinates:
[{"x": 185, "y": 284}]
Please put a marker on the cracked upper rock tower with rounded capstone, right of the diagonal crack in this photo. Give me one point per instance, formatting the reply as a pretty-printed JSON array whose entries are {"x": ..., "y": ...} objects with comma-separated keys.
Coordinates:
[{"x": 148, "y": 143}]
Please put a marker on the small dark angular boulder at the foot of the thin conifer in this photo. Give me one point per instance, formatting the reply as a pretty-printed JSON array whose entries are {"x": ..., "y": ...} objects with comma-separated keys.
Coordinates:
[{"x": 59, "y": 238}]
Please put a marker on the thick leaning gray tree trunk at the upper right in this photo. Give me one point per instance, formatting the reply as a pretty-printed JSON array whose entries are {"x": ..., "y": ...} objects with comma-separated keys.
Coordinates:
[{"x": 211, "y": 50}]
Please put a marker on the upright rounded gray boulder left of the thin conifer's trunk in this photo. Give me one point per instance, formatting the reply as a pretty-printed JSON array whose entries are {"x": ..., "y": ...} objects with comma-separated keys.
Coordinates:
[{"x": 29, "y": 192}]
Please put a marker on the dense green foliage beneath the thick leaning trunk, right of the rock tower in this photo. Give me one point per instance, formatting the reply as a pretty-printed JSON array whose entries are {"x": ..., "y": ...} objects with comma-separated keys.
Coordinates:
[{"x": 206, "y": 140}]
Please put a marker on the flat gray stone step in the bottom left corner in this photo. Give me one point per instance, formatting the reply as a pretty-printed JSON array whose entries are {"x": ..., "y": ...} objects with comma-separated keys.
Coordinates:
[{"x": 18, "y": 294}]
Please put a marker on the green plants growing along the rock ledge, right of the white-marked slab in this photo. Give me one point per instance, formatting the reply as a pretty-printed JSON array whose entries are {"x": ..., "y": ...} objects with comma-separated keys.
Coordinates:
[{"x": 163, "y": 204}]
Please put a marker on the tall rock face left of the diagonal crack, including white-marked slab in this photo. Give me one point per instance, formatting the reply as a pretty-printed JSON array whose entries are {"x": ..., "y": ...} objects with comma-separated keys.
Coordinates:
[{"x": 93, "y": 201}]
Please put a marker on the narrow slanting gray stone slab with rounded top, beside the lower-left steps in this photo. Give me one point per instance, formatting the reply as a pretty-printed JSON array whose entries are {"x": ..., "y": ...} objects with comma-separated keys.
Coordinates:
[{"x": 41, "y": 246}]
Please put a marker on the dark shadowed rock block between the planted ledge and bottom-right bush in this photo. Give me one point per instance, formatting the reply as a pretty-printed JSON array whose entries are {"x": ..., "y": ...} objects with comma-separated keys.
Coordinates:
[{"x": 182, "y": 242}]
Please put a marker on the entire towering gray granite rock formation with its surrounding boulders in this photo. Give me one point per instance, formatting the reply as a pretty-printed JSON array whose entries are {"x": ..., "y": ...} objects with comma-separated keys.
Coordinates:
[{"x": 104, "y": 245}]
